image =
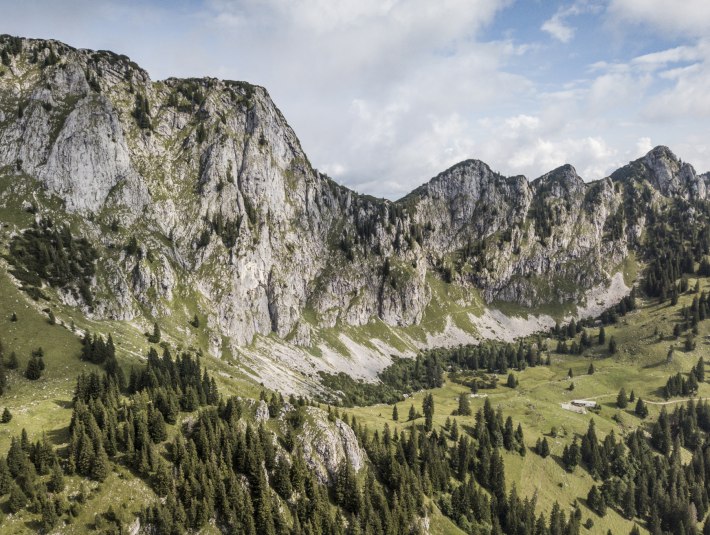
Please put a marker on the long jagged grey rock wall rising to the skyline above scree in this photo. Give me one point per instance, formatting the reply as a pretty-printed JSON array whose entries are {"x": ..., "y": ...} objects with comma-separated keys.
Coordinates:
[{"x": 231, "y": 222}]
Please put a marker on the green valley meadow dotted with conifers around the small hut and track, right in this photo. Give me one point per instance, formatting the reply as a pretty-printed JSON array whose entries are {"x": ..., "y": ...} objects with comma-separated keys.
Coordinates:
[{"x": 639, "y": 365}]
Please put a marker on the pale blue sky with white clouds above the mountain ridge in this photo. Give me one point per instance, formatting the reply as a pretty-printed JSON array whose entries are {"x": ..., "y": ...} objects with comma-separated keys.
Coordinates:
[{"x": 385, "y": 94}]
